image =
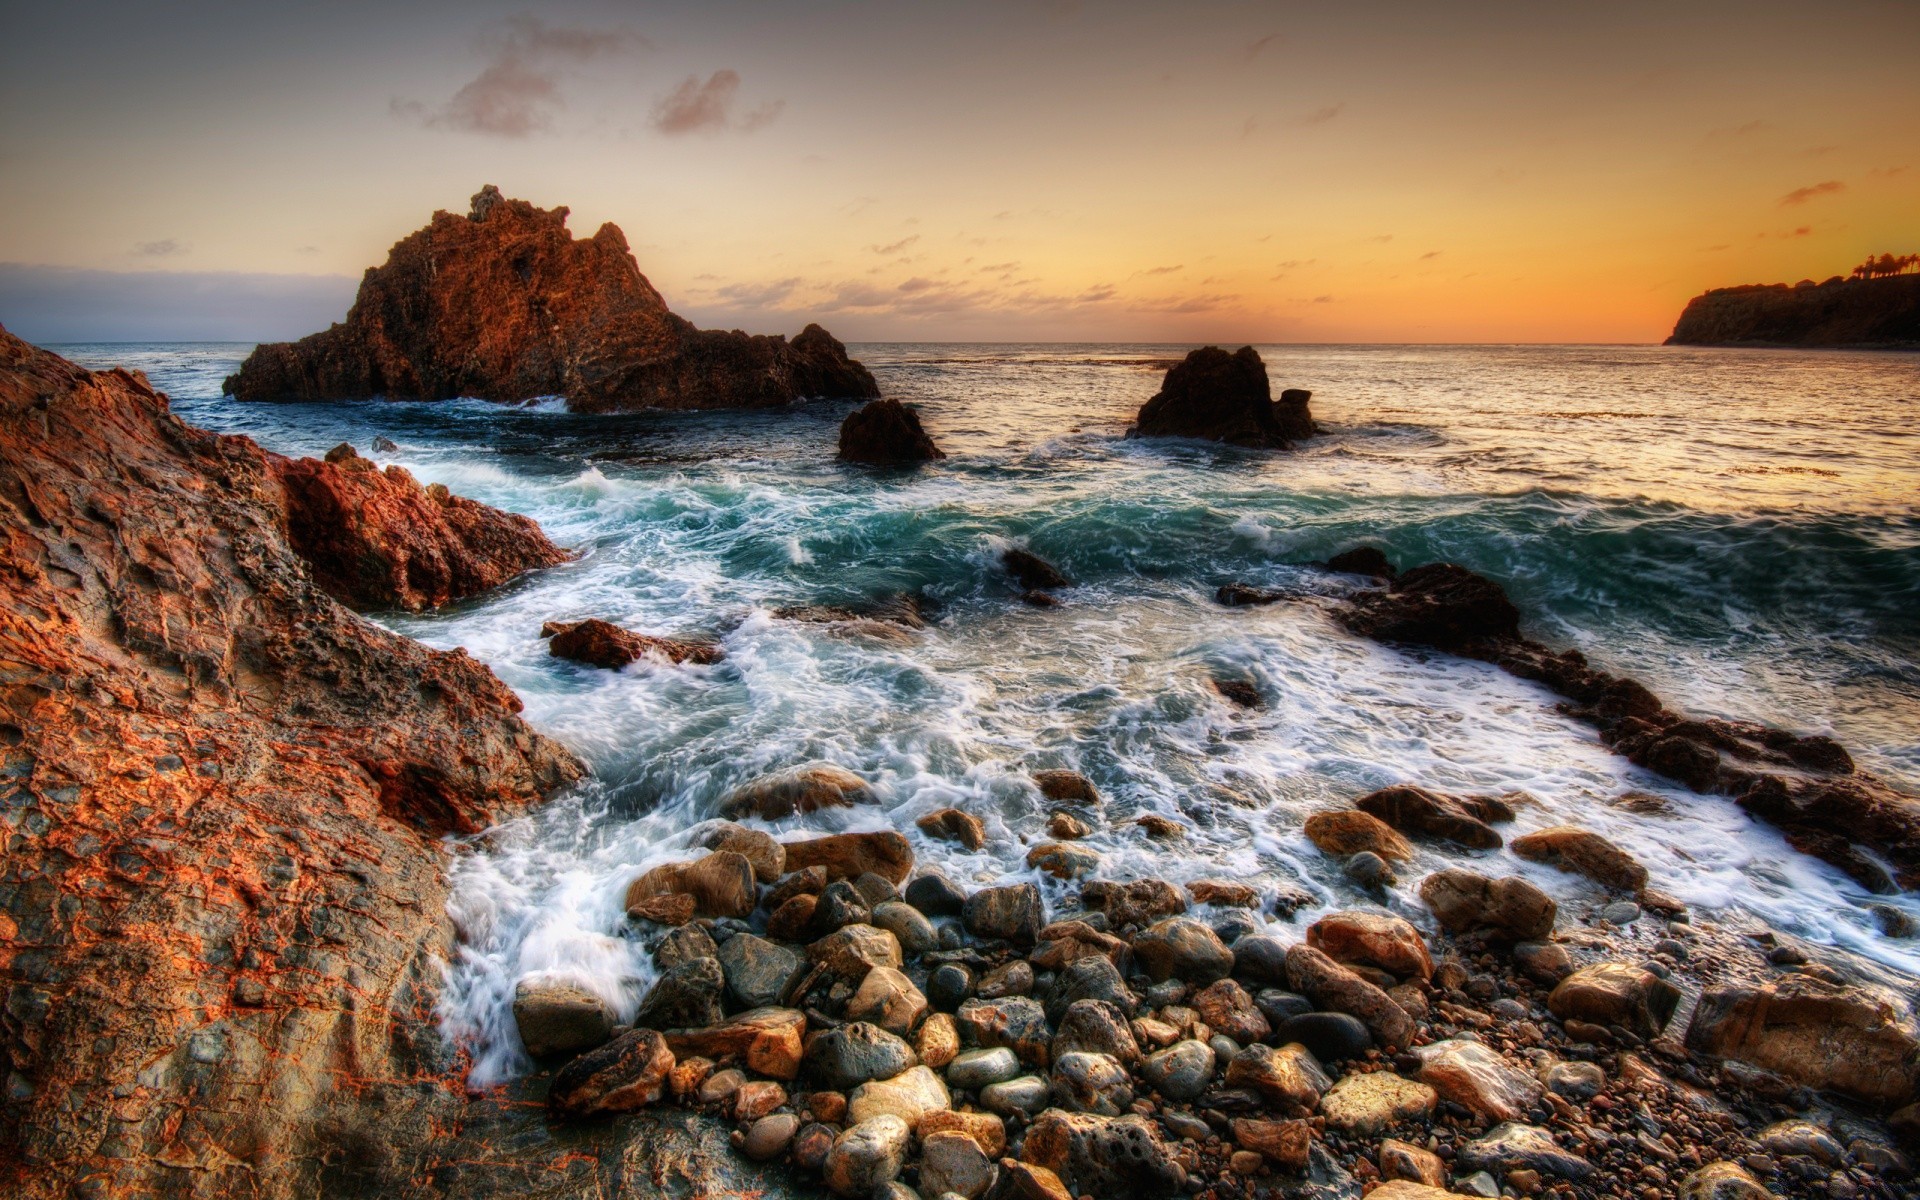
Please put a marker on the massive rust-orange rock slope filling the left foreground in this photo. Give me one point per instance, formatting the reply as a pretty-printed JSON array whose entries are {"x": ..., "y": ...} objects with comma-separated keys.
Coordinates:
[{"x": 222, "y": 905}]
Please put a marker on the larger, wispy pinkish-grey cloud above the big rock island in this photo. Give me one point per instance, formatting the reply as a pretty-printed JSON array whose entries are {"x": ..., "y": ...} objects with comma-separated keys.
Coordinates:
[{"x": 519, "y": 91}]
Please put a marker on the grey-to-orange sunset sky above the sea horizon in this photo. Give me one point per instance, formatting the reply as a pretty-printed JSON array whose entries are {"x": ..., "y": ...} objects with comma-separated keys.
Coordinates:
[{"x": 969, "y": 172}]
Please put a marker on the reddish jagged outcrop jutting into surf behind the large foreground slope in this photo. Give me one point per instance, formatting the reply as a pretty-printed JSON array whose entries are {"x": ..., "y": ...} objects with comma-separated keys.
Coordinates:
[{"x": 377, "y": 540}]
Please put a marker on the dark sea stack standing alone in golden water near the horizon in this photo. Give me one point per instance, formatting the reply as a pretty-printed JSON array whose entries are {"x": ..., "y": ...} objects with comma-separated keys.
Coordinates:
[{"x": 1226, "y": 398}]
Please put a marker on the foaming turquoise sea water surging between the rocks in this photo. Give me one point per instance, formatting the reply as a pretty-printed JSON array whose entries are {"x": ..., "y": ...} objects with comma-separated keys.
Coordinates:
[{"x": 1737, "y": 529}]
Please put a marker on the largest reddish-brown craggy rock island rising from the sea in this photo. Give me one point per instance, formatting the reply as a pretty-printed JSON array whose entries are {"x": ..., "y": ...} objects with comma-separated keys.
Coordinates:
[{"x": 506, "y": 304}]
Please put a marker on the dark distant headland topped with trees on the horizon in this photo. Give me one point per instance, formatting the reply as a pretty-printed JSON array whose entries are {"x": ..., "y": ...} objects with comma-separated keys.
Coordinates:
[{"x": 1881, "y": 314}]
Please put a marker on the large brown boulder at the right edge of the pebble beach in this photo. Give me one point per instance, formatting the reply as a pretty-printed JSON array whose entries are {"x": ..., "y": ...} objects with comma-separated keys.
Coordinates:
[{"x": 1813, "y": 1034}]
